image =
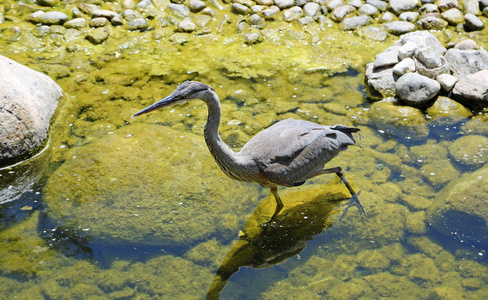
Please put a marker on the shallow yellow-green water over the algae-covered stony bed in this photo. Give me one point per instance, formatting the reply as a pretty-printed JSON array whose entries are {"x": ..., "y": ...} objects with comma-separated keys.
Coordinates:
[{"x": 121, "y": 208}]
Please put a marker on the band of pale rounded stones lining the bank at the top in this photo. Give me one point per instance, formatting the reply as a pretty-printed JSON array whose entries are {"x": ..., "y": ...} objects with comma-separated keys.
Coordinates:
[{"x": 394, "y": 17}]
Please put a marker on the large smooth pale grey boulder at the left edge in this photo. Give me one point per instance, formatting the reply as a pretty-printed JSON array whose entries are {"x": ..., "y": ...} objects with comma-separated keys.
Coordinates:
[{"x": 28, "y": 100}]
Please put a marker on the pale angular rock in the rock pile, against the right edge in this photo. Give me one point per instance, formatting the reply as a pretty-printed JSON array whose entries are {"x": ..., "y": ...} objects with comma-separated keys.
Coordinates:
[{"x": 465, "y": 62}]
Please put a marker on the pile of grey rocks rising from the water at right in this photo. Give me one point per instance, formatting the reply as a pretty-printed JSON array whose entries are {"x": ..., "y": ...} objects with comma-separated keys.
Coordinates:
[{"x": 417, "y": 68}]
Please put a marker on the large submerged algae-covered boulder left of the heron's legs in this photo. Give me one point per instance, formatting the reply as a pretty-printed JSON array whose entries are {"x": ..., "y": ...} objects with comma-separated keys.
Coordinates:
[{"x": 147, "y": 185}]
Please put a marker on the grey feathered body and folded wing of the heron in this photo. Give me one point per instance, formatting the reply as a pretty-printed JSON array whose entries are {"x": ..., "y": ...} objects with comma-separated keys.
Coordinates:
[{"x": 291, "y": 151}]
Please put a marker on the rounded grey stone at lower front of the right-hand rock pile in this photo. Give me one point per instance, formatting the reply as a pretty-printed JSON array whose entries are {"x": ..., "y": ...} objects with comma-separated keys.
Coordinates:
[{"x": 416, "y": 90}]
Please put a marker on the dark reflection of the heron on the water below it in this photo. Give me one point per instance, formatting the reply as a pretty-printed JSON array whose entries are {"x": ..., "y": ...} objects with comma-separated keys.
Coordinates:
[{"x": 263, "y": 244}]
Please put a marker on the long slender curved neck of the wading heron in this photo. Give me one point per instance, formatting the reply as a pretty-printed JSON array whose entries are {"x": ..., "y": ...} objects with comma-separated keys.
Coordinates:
[{"x": 223, "y": 155}]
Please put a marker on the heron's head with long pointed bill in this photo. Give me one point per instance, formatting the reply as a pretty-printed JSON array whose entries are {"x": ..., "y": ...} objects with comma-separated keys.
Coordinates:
[{"x": 186, "y": 91}]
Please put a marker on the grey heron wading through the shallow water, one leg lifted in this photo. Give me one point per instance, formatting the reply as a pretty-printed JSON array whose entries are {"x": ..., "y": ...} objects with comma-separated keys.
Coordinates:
[{"x": 285, "y": 154}]
